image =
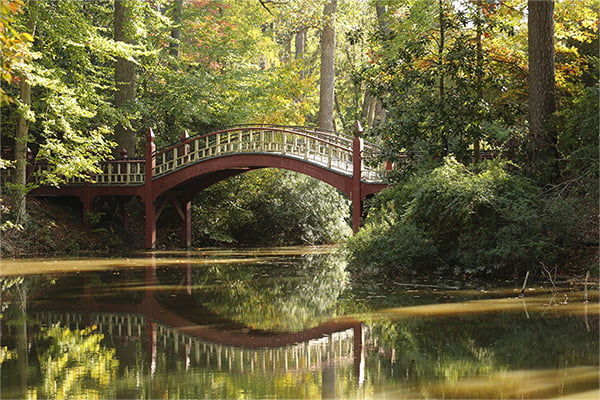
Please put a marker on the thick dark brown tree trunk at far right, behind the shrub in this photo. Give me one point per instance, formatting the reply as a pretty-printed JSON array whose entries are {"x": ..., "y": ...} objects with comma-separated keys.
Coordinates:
[{"x": 542, "y": 88}]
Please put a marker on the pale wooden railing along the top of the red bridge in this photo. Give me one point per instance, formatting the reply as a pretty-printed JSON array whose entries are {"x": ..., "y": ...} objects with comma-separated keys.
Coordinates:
[{"x": 321, "y": 147}]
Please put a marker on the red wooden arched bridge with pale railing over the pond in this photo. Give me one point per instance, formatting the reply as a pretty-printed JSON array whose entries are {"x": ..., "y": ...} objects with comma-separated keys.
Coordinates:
[{"x": 173, "y": 175}]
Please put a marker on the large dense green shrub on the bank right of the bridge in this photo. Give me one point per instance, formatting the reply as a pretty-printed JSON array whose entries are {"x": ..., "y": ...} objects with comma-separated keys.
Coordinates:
[{"x": 454, "y": 219}]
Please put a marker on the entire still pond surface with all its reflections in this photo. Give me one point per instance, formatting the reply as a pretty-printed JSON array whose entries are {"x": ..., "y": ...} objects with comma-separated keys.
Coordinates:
[{"x": 287, "y": 323}]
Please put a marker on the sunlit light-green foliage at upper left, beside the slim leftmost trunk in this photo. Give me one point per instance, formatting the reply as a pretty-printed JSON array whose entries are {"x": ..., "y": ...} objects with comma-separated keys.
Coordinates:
[{"x": 69, "y": 82}]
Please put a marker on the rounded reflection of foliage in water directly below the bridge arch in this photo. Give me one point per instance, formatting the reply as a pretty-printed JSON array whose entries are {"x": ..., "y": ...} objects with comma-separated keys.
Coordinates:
[{"x": 286, "y": 296}]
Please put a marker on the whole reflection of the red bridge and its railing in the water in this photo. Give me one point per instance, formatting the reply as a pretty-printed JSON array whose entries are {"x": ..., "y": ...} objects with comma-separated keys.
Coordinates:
[{"x": 206, "y": 340}]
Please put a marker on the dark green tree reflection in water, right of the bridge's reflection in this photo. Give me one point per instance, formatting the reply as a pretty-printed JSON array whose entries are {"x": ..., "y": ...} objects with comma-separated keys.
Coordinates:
[{"x": 450, "y": 349}]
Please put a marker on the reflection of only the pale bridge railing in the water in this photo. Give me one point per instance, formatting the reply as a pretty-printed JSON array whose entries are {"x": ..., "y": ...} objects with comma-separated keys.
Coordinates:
[{"x": 336, "y": 348}]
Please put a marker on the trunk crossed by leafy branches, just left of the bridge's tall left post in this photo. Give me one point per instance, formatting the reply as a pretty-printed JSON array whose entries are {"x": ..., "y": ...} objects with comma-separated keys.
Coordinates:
[{"x": 124, "y": 76}]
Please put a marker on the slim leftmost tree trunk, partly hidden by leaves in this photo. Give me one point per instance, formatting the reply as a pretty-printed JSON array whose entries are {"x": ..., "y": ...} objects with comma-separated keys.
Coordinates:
[{"x": 22, "y": 133}]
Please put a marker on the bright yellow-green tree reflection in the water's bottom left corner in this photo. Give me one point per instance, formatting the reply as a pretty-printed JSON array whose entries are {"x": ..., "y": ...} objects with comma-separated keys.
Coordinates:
[{"x": 69, "y": 364}]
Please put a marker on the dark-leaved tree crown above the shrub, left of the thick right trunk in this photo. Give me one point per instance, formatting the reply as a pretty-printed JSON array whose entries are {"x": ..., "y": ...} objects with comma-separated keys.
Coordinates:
[{"x": 440, "y": 92}]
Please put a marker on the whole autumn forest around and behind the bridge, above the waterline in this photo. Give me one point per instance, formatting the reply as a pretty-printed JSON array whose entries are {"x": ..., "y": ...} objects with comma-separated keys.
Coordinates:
[{"x": 443, "y": 86}]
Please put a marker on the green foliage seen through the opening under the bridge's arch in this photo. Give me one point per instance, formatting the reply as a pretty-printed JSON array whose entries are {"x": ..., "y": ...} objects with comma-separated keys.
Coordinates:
[{"x": 272, "y": 207}]
